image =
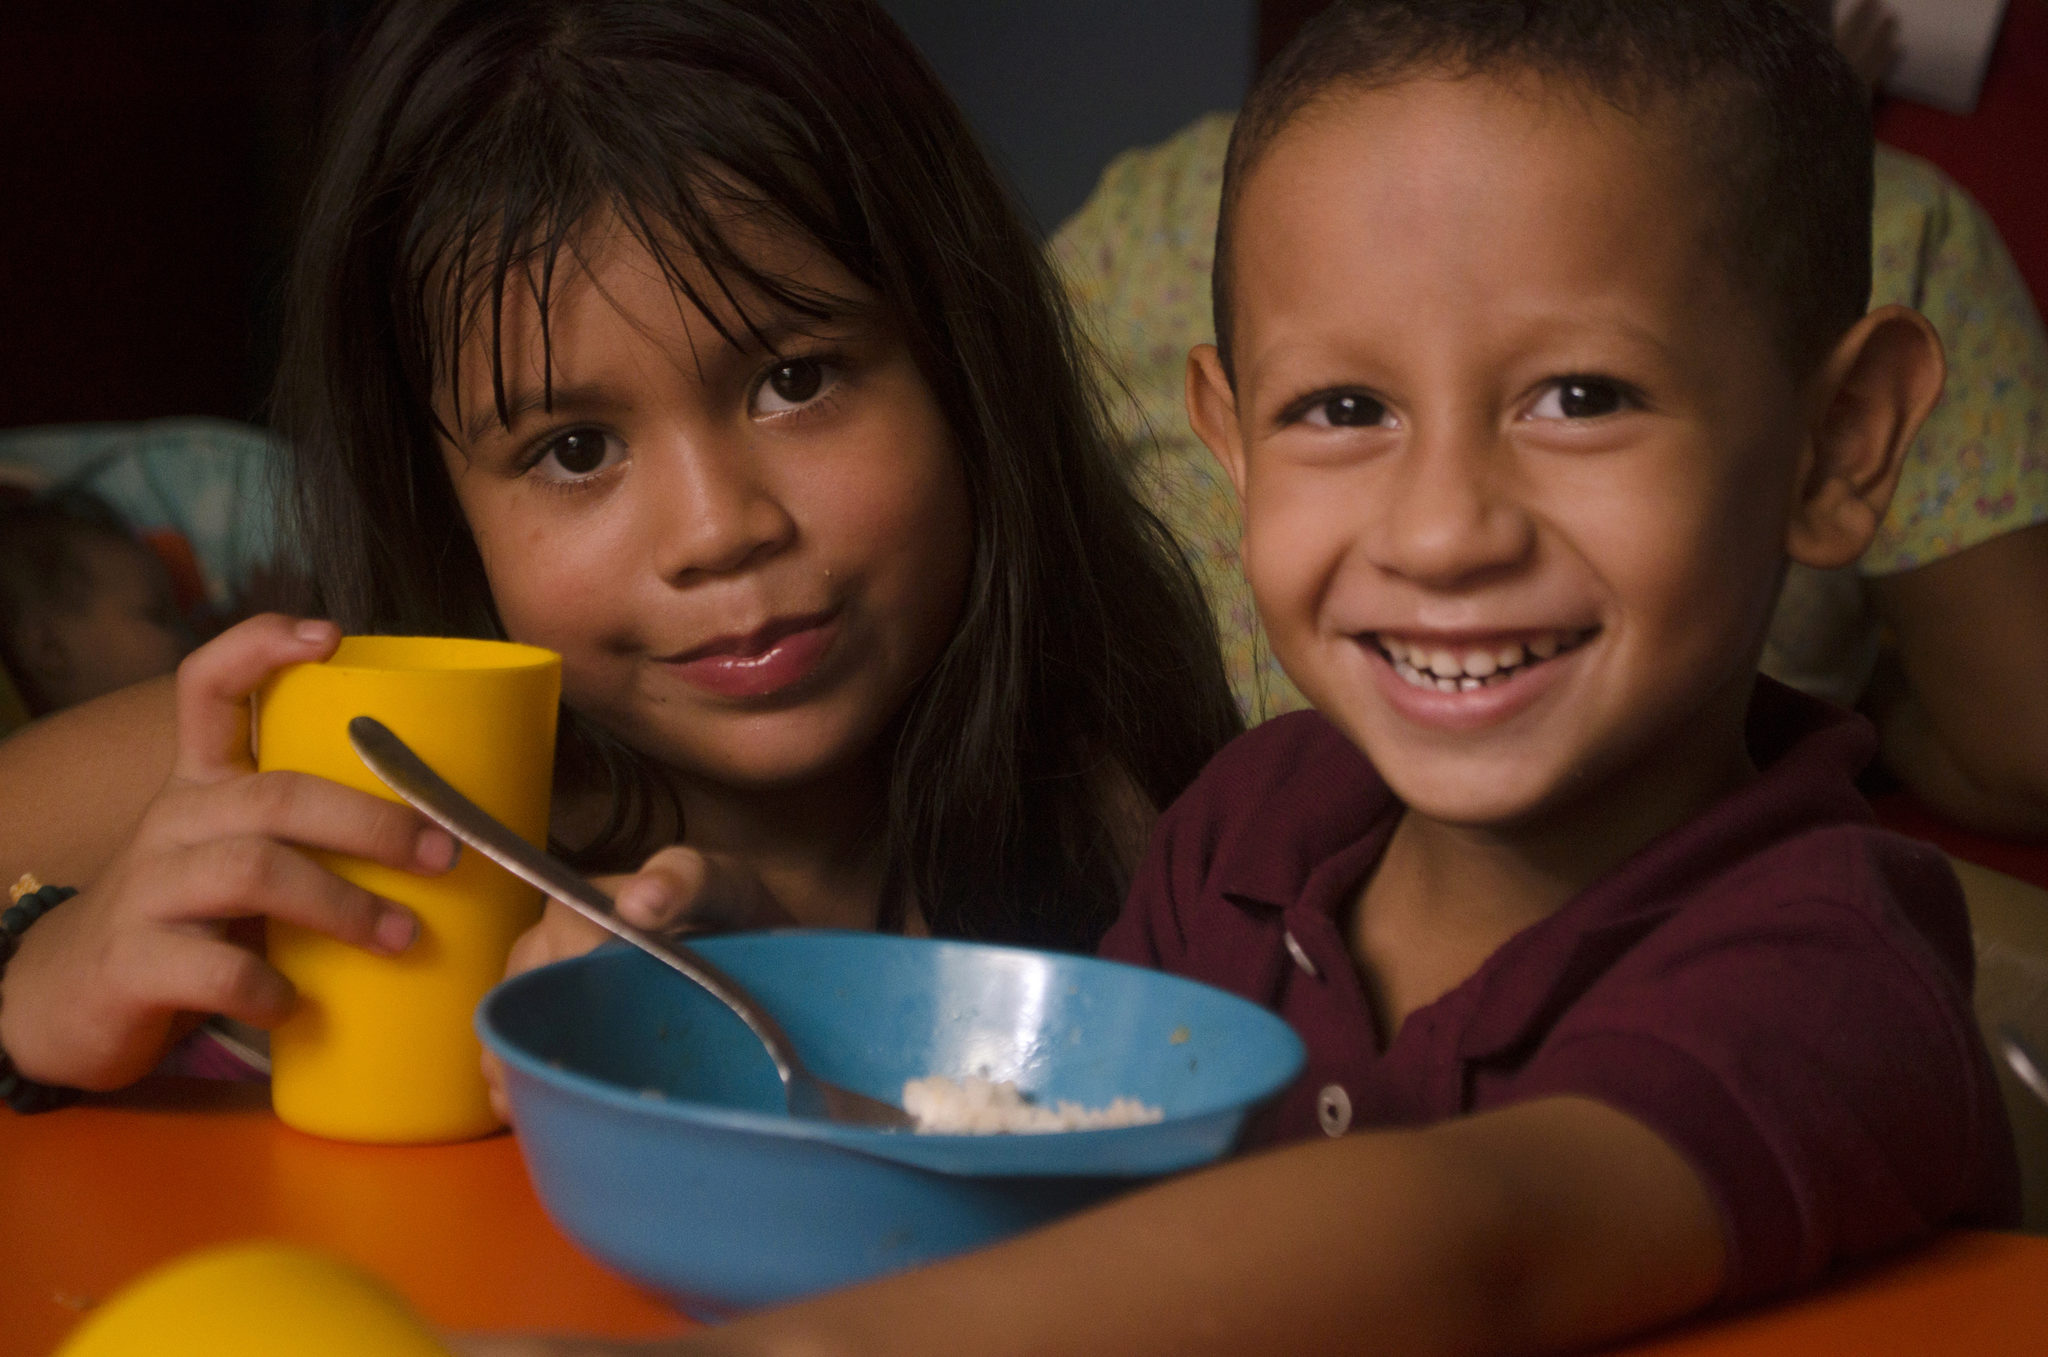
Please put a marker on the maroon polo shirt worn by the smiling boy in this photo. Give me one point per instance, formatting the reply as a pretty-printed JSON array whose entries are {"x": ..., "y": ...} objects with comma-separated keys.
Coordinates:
[{"x": 1779, "y": 990}]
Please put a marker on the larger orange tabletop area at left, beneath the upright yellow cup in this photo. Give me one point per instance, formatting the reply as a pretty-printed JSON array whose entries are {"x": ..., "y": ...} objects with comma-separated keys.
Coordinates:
[{"x": 95, "y": 1194}]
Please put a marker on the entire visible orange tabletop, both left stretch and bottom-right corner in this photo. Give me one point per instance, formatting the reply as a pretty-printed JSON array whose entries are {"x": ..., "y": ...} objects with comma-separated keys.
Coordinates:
[{"x": 95, "y": 1194}]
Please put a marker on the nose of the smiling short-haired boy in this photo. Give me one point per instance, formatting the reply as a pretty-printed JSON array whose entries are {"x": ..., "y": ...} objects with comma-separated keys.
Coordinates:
[{"x": 1449, "y": 515}]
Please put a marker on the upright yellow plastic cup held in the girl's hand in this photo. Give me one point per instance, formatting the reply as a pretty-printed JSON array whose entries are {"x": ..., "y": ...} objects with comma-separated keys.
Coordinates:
[{"x": 382, "y": 1049}]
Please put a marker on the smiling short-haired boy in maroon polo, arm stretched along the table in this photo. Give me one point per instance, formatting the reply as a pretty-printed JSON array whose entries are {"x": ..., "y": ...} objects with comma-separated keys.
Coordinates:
[{"x": 1543, "y": 353}]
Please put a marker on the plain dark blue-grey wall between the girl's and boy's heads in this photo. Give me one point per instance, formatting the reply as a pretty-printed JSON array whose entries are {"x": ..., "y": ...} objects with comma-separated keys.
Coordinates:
[{"x": 1058, "y": 87}]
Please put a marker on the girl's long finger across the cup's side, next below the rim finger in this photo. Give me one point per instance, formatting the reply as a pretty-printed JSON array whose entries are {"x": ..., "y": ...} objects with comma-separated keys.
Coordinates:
[{"x": 312, "y": 814}]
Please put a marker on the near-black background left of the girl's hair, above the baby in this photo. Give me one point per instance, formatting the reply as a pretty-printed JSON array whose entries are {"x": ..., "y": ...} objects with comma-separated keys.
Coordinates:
[{"x": 151, "y": 159}]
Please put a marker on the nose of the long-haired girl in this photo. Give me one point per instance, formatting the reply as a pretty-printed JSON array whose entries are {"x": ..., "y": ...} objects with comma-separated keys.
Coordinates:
[{"x": 712, "y": 511}]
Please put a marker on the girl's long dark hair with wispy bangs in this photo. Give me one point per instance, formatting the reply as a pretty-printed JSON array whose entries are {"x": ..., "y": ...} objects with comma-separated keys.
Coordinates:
[{"x": 468, "y": 148}]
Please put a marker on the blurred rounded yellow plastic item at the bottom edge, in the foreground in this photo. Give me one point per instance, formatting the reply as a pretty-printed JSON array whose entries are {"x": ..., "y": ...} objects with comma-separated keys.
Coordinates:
[{"x": 255, "y": 1301}]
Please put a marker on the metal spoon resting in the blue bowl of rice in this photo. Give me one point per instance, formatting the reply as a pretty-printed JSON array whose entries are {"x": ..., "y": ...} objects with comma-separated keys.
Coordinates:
[{"x": 409, "y": 775}]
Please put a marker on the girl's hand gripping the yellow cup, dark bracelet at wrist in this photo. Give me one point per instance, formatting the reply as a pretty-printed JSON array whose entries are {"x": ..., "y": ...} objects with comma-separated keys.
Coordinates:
[{"x": 97, "y": 988}]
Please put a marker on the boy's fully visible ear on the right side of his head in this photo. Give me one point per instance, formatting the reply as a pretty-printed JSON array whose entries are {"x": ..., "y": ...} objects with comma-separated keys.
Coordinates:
[{"x": 1875, "y": 392}]
